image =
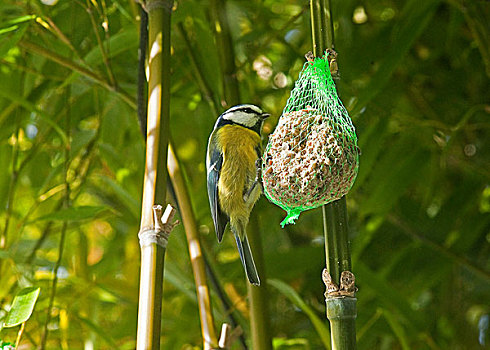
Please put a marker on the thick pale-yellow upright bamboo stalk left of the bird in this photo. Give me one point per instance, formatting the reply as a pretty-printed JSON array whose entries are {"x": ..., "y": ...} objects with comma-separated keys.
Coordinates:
[{"x": 154, "y": 186}]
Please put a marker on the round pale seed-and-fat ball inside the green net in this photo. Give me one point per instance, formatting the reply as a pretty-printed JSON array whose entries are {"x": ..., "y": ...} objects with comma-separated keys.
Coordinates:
[{"x": 309, "y": 161}]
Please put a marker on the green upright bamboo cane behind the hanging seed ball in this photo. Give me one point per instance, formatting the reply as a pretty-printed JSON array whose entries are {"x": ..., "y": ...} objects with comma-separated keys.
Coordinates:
[{"x": 341, "y": 309}]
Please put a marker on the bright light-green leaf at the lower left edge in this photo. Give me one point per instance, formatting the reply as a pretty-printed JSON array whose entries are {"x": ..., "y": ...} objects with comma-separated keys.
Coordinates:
[{"x": 22, "y": 307}]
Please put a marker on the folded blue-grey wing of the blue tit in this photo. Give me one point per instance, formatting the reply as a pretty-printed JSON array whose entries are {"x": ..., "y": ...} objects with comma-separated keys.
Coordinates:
[{"x": 214, "y": 164}]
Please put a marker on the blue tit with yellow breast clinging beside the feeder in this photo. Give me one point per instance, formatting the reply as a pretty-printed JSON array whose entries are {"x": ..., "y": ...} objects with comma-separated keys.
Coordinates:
[{"x": 232, "y": 163}]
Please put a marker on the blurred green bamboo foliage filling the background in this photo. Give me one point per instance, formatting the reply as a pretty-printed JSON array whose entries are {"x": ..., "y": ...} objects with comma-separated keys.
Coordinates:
[{"x": 415, "y": 79}]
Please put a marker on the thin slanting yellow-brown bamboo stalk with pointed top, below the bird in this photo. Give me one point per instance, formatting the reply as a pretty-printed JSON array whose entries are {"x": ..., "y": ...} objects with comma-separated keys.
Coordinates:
[{"x": 210, "y": 340}]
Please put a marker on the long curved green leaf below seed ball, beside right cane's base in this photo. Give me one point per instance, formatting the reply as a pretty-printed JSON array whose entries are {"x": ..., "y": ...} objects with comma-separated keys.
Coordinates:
[{"x": 294, "y": 297}]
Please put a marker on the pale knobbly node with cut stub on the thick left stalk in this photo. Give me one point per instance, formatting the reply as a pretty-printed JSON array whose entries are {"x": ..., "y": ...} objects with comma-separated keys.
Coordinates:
[{"x": 162, "y": 227}]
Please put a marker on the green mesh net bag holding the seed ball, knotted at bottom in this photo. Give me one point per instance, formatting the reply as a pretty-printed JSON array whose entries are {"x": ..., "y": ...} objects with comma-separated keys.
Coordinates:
[{"x": 312, "y": 157}]
